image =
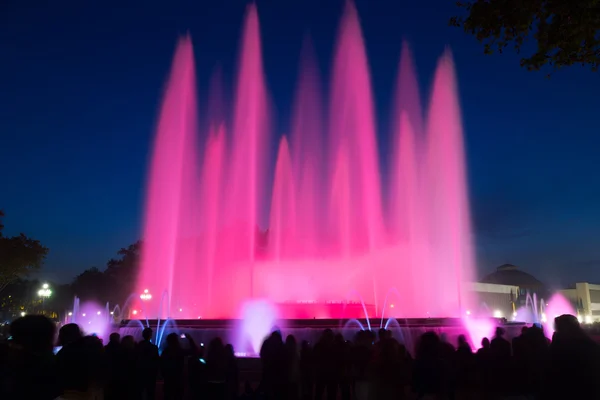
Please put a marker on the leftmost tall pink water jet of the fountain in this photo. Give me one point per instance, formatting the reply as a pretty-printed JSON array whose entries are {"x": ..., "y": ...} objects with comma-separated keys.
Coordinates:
[{"x": 170, "y": 174}]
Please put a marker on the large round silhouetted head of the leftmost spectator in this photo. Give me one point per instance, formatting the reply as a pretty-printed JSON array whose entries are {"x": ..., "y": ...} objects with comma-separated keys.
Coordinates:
[{"x": 34, "y": 333}]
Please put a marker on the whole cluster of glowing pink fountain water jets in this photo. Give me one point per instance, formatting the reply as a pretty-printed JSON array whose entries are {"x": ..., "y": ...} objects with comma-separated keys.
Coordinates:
[{"x": 331, "y": 230}]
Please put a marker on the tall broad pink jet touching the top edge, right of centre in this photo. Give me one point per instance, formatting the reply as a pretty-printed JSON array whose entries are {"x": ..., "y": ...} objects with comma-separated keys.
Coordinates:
[{"x": 352, "y": 129}]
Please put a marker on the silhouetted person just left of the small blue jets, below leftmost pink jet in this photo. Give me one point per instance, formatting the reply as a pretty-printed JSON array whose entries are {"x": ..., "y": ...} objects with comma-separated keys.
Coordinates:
[{"x": 147, "y": 365}]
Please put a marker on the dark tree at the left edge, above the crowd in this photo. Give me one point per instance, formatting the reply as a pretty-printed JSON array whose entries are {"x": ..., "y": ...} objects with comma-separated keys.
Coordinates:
[{"x": 19, "y": 256}]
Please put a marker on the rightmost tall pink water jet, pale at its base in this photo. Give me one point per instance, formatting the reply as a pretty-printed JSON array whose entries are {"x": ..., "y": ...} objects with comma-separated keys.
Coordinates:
[{"x": 448, "y": 206}]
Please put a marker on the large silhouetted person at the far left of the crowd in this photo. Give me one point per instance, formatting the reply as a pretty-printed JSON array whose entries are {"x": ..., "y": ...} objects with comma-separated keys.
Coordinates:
[{"x": 30, "y": 364}]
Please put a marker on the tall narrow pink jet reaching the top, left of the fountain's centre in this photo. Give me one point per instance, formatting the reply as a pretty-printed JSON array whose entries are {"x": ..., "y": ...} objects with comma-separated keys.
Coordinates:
[{"x": 247, "y": 169}]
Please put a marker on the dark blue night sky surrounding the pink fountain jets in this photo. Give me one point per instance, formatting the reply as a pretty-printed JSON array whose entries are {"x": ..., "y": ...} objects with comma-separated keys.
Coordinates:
[{"x": 80, "y": 84}]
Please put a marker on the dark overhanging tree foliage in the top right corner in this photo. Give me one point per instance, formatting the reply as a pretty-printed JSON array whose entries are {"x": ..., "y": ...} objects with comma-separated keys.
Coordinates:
[{"x": 566, "y": 32}]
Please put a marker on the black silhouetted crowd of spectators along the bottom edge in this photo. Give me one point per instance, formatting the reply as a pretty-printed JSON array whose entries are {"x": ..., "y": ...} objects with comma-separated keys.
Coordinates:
[{"x": 369, "y": 367}]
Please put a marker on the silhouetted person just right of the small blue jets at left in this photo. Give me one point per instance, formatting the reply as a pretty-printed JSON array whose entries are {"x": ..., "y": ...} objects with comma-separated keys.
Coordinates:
[{"x": 172, "y": 363}]
